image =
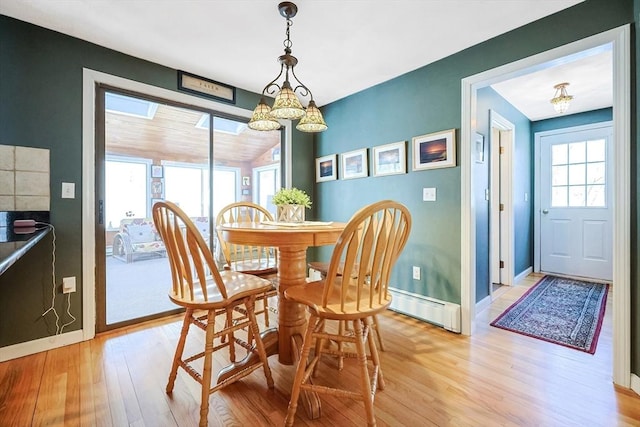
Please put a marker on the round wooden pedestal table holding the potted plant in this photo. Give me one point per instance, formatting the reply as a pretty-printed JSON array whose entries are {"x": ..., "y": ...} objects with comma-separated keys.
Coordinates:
[{"x": 292, "y": 243}]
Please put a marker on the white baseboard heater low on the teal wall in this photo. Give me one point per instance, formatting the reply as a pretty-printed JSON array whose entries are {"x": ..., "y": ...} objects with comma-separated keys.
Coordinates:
[{"x": 425, "y": 308}]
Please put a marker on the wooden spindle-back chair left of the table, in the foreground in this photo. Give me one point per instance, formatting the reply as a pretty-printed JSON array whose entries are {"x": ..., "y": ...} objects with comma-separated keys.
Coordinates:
[{"x": 207, "y": 293}]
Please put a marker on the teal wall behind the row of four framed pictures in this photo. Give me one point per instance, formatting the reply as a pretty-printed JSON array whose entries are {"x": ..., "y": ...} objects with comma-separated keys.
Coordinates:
[{"x": 428, "y": 100}]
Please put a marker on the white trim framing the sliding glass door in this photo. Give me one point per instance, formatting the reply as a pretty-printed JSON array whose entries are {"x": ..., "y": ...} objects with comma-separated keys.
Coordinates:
[{"x": 89, "y": 80}]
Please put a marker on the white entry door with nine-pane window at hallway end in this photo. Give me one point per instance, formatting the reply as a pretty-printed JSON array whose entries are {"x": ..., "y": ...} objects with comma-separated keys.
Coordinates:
[{"x": 575, "y": 202}]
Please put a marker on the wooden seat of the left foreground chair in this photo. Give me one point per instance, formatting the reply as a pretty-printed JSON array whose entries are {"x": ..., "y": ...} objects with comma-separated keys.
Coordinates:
[{"x": 238, "y": 286}]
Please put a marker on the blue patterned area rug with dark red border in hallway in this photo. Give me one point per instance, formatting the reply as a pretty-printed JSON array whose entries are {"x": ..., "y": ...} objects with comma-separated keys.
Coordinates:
[{"x": 559, "y": 310}]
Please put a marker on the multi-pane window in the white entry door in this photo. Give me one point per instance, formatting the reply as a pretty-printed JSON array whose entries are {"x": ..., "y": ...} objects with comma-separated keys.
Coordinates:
[{"x": 578, "y": 174}]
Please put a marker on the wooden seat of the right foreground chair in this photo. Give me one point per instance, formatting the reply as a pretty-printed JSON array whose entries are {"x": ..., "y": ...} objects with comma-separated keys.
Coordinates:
[{"x": 310, "y": 294}]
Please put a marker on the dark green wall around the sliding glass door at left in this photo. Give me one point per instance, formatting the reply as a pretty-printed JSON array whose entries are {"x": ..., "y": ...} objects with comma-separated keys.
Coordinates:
[{"x": 41, "y": 106}]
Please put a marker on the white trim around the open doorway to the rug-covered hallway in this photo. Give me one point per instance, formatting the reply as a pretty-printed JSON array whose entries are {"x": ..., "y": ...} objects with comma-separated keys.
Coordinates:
[{"x": 620, "y": 40}]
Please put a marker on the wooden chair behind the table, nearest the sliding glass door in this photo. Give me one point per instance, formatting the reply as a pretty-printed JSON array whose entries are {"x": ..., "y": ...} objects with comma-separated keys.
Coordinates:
[{"x": 258, "y": 260}]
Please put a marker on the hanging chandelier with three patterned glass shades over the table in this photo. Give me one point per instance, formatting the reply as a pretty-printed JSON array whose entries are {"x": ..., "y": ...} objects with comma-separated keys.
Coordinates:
[{"x": 286, "y": 104}]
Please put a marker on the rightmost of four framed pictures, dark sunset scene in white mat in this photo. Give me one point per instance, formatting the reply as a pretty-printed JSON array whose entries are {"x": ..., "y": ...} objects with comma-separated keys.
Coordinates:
[{"x": 434, "y": 150}]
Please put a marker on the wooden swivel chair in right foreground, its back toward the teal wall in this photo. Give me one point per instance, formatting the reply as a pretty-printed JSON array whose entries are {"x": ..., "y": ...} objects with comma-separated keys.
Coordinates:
[{"x": 369, "y": 247}]
